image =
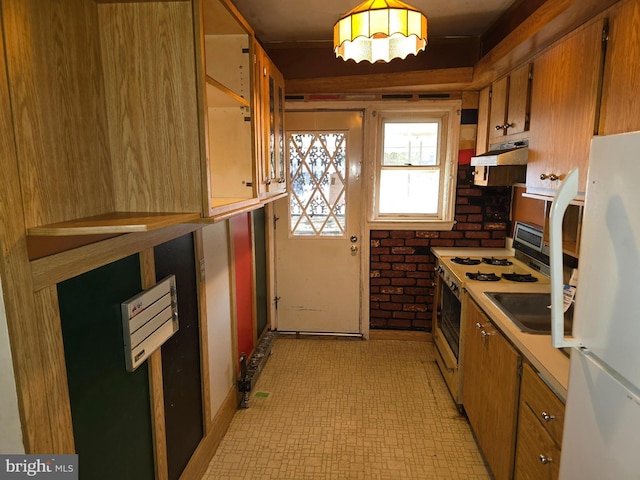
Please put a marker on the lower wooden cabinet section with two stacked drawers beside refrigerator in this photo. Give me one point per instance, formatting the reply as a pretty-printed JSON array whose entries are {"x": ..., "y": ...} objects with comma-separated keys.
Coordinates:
[{"x": 540, "y": 423}]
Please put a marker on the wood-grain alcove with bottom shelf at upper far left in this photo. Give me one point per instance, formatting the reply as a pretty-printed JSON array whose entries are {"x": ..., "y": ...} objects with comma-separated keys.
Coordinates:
[{"x": 105, "y": 117}]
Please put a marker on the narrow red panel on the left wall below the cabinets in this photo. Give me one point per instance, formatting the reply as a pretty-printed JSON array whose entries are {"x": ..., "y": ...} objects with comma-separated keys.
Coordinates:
[{"x": 241, "y": 234}]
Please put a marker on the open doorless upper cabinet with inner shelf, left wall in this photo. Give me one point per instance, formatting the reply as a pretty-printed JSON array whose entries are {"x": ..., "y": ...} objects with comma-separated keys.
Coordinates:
[{"x": 229, "y": 113}]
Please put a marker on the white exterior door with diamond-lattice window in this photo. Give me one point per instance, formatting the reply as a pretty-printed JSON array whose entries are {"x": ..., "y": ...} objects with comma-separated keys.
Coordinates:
[{"x": 318, "y": 230}]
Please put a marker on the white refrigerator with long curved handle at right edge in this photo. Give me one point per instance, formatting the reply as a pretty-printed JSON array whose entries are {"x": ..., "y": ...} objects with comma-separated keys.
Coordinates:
[{"x": 601, "y": 438}]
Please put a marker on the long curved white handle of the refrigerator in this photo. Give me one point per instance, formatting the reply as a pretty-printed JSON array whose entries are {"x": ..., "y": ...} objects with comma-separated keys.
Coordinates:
[{"x": 566, "y": 193}]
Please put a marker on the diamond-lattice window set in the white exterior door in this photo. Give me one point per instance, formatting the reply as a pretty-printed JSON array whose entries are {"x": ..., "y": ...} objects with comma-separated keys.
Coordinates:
[{"x": 317, "y": 203}]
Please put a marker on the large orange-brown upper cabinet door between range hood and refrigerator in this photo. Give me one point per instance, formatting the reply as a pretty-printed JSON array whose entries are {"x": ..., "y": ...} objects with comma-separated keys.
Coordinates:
[{"x": 564, "y": 105}]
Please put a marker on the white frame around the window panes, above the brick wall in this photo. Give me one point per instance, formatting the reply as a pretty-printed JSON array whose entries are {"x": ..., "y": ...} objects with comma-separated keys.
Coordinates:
[{"x": 448, "y": 114}]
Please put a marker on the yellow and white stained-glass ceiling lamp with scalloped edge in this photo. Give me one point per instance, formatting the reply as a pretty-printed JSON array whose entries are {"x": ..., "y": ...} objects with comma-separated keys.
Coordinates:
[{"x": 380, "y": 30}]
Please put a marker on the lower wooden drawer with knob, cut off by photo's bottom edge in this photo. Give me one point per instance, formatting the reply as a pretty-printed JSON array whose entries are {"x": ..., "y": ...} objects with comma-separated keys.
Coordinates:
[{"x": 537, "y": 454}]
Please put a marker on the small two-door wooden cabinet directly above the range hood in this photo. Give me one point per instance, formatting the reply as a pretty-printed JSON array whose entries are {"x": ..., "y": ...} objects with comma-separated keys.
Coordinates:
[{"x": 510, "y": 104}]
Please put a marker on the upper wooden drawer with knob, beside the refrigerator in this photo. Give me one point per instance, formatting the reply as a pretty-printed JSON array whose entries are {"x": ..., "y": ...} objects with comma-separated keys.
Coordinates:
[{"x": 546, "y": 406}]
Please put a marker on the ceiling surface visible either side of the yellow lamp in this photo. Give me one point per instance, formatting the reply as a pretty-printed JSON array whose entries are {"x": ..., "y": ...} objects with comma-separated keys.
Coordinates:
[{"x": 312, "y": 20}]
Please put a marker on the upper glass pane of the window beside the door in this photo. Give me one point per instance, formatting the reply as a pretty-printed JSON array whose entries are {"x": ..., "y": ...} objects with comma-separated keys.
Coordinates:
[{"x": 410, "y": 144}]
